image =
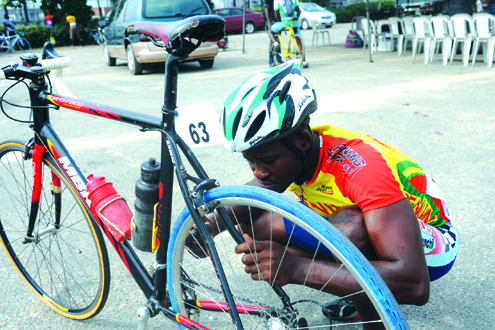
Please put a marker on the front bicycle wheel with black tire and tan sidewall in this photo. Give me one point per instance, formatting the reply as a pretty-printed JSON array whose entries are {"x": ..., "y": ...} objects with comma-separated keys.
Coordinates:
[{"x": 63, "y": 268}]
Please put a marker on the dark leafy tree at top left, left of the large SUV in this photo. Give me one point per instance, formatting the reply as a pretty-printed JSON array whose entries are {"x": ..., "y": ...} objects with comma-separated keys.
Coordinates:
[{"x": 59, "y": 8}]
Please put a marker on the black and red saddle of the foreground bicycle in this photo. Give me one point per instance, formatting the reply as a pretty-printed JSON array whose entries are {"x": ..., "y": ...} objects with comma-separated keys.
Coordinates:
[{"x": 177, "y": 37}]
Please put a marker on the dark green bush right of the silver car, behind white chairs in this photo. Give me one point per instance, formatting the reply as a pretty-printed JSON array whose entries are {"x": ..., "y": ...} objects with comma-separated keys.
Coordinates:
[{"x": 345, "y": 15}]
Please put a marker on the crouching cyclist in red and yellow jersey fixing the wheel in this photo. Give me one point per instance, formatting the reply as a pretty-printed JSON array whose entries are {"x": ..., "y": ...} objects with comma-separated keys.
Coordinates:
[{"x": 382, "y": 200}]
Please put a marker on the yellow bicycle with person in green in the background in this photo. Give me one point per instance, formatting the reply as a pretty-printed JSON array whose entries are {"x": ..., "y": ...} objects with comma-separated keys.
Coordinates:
[{"x": 291, "y": 44}]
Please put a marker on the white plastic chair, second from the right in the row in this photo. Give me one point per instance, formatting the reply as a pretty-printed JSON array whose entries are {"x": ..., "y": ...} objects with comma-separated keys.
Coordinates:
[{"x": 460, "y": 24}]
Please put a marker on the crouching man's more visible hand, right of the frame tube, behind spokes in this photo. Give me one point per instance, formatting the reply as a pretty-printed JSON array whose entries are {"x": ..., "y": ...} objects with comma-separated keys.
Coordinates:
[{"x": 265, "y": 261}]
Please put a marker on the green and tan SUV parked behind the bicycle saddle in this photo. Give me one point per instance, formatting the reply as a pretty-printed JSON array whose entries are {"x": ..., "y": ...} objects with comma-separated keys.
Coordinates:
[{"x": 140, "y": 51}]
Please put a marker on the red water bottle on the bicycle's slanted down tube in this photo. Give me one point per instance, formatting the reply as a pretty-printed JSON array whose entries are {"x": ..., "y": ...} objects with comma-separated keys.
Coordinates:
[{"x": 110, "y": 207}]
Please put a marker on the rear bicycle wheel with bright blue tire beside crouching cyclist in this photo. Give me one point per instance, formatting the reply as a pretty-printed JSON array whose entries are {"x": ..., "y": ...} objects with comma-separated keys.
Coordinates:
[{"x": 182, "y": 269}]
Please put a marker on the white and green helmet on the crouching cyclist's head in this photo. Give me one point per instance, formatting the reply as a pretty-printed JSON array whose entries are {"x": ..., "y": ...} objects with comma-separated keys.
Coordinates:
[{"x": 266, "y": 107}]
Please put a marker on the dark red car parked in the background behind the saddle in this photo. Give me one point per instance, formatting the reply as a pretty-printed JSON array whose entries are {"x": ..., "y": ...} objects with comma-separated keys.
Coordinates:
[{"x": 233, "y": 19}]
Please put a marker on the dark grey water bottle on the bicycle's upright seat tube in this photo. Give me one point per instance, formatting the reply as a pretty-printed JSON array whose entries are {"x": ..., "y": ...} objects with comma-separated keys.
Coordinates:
[{"x": 147, "y": 194}]
